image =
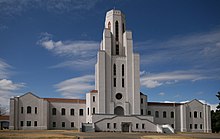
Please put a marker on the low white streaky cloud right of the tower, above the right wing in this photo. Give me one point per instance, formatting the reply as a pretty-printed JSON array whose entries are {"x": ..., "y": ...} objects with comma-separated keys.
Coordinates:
[{"x": 165, "y": 78}]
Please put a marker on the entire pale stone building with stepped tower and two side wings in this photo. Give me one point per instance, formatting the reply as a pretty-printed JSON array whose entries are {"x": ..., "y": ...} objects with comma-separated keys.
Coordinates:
[{"x": 116, "y": 104}]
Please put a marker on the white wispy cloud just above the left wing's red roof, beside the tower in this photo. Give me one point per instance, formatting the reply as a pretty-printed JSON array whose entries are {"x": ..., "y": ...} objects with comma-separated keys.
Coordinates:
[{"x": 76, "y": 87}]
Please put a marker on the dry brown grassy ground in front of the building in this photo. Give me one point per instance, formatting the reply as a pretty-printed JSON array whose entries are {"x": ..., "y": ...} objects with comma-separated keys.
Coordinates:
[{"x": 72, "y": 134}]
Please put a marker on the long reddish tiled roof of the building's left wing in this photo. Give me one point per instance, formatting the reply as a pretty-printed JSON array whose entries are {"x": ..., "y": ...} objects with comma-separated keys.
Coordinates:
[{"x": 64, "y": 100}]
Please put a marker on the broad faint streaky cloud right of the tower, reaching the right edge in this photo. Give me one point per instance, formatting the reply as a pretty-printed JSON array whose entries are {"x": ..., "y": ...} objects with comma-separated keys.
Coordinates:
[{"x": 198, "y": 50}]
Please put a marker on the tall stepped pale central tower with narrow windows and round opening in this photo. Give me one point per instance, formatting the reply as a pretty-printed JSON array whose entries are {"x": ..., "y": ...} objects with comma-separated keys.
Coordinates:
[{"x": 117, "y": 69}]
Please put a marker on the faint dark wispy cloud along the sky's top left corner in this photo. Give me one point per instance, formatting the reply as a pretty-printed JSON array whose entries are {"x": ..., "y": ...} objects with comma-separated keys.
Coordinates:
[{"x": 17, "y": 7}]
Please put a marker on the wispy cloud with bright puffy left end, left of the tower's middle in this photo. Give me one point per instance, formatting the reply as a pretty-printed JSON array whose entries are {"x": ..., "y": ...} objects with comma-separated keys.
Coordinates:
[{"x": 78, "y": 54}]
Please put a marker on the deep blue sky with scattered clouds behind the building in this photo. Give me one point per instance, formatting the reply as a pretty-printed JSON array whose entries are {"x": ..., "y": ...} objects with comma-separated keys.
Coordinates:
[{"x": 49, "y": 47}]
